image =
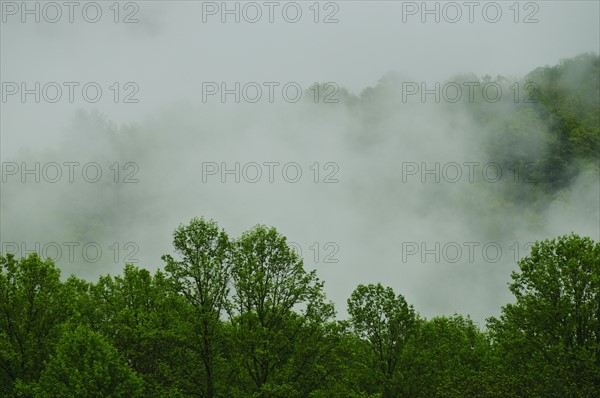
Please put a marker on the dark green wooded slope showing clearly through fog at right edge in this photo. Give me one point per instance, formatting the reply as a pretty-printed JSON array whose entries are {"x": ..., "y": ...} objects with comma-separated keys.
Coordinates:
[{"x": 557, "y": 132}]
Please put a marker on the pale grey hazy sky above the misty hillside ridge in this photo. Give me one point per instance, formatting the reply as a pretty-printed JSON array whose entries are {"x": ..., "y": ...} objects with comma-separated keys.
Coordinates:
[{"x": 170, "y": 51}]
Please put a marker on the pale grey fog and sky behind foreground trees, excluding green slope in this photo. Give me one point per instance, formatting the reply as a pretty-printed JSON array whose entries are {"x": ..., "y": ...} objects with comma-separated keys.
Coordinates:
[{"x": 353, "y": 187}]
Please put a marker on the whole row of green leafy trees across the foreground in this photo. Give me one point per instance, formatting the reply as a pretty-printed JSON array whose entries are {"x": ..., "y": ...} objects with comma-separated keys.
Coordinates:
[{"x": 242, "y": 318}]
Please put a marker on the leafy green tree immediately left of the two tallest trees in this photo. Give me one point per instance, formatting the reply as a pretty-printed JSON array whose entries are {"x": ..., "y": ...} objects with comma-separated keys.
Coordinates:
[{"x": 139, "y": 314}]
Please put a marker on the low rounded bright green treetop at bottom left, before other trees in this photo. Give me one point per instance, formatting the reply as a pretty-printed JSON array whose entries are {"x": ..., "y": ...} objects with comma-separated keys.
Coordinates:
[{"x": 85, "y": 364}]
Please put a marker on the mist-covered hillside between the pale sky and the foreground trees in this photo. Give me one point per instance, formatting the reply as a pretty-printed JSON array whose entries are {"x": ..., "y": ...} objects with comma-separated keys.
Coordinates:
[{"x": 509, "y": 172}]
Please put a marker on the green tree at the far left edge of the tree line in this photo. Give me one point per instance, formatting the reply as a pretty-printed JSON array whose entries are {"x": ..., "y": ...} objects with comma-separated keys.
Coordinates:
[{"x": 33, "y": 303}]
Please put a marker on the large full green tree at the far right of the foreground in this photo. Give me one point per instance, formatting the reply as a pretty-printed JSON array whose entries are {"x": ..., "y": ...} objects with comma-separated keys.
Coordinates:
[{"x": 549, "y": 340}]
